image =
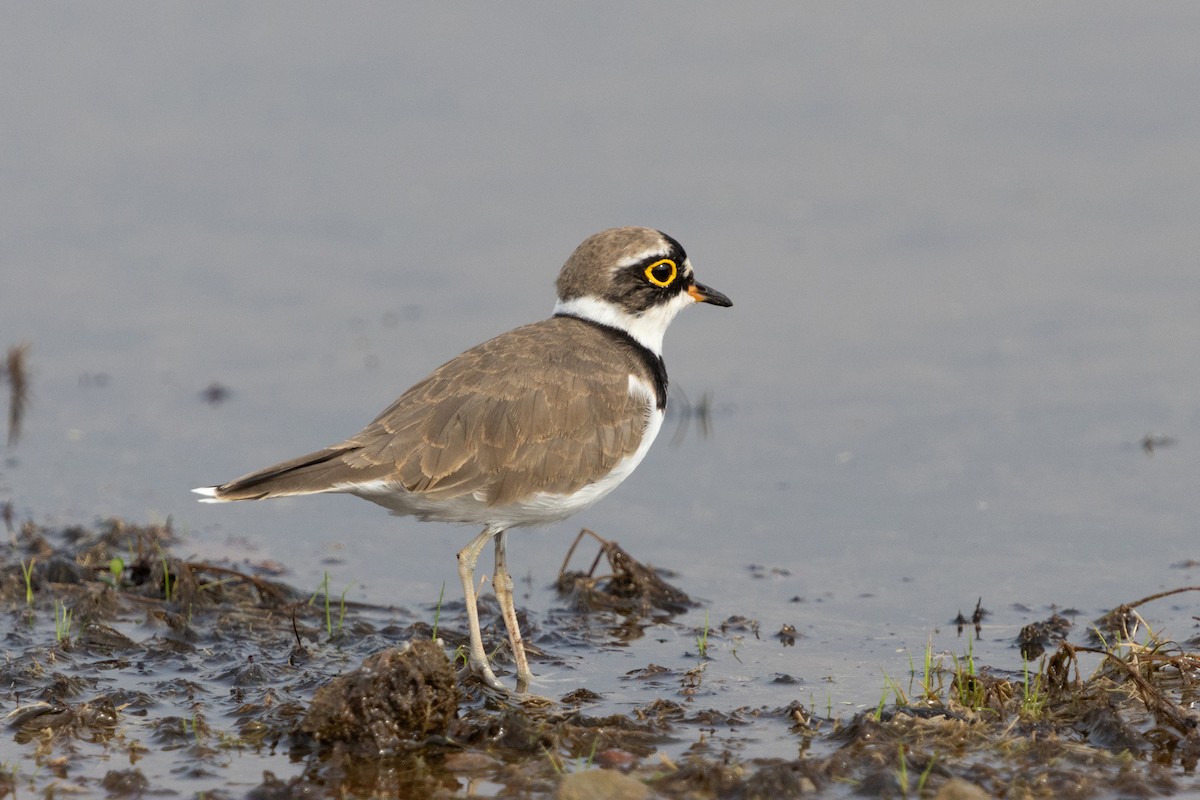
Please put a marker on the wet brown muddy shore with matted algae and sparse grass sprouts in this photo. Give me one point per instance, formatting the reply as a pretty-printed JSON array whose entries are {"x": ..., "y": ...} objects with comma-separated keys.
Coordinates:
[{"x": 131, "y": 672}]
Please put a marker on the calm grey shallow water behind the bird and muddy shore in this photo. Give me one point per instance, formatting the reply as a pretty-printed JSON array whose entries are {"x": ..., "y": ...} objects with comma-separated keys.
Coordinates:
[{"x": 961, "y": 243}]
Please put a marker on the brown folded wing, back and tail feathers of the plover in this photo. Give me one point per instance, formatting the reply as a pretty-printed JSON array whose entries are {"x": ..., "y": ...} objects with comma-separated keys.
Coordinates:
[{"x": 543, "y": 408}]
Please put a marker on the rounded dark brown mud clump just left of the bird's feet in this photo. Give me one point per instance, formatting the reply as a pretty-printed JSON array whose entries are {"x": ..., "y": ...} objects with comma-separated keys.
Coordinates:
[{"x": 400, "y": 696}]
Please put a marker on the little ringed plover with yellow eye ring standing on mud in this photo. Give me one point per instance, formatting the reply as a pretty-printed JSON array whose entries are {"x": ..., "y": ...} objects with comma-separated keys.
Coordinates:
[{"x": 526, "y": 429}]
